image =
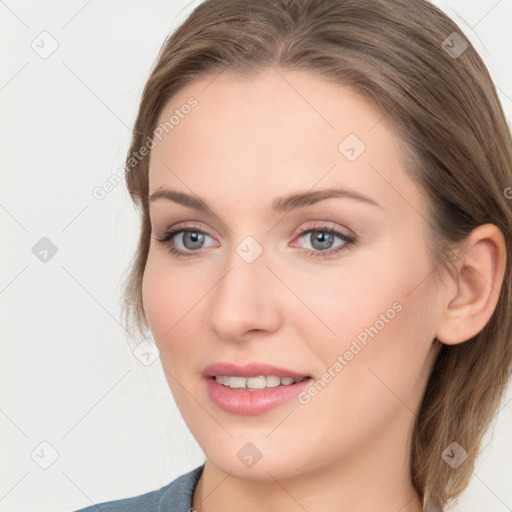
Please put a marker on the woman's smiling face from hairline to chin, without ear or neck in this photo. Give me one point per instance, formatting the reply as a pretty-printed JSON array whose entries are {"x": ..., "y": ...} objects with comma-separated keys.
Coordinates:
[{"x": 354, "y": 311}]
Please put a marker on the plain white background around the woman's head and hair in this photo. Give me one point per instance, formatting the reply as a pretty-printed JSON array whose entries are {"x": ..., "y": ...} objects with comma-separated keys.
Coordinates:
[{"x": 68, "y": 376}]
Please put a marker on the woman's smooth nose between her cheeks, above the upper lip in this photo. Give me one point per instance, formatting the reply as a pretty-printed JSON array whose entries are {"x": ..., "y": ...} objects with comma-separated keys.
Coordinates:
[{"x": 245, "y": 300}]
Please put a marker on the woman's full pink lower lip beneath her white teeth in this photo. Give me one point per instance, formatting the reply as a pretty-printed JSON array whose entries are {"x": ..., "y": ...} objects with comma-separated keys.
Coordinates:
[{"x": 250, "y": 403}]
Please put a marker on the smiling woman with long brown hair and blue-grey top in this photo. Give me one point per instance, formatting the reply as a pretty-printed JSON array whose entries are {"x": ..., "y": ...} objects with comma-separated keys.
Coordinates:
[{"x": 325, "y": 254}]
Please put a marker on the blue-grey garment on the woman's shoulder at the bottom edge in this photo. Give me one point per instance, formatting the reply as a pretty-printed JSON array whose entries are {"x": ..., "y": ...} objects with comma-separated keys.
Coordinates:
[{"x": 176, "y": 496}]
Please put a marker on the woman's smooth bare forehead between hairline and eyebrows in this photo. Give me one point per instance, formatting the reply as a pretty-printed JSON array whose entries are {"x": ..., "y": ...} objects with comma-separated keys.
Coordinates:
[{"x": 278, "y": 131}]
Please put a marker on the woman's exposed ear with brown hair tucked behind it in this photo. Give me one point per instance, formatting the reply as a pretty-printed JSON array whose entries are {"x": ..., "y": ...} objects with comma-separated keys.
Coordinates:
[{"x": 480, "y": 273}]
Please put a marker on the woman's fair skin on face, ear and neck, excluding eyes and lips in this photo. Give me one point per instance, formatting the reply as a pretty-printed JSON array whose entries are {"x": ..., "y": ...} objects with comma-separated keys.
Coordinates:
[{"x": 248, "y": 141}]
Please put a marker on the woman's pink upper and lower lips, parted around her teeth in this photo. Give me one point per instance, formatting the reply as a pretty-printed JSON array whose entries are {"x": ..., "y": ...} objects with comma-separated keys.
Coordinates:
[{"x": 250, "y": 403}]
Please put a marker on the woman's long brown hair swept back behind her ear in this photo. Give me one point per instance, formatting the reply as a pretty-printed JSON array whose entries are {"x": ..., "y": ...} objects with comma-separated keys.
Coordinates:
[{"x": 413, "y": 61}]
